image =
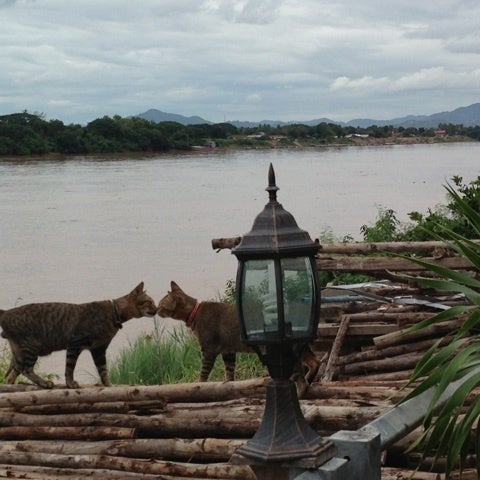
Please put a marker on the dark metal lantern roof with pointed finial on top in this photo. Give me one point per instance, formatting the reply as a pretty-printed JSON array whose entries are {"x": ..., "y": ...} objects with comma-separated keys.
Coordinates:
[{"x": 275, "y": 232}]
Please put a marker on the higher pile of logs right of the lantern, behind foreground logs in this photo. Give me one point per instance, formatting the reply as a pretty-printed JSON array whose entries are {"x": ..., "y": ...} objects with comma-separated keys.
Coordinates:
[{"x": 361, "y": 336}]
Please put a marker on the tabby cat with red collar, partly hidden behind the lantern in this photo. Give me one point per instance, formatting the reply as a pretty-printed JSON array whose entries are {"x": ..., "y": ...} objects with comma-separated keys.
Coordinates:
[{"x": 217, "y": 331}]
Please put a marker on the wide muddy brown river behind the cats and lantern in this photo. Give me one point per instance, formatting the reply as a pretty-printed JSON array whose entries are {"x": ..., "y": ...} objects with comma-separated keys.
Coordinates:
[{"x": 80, "y": 228}]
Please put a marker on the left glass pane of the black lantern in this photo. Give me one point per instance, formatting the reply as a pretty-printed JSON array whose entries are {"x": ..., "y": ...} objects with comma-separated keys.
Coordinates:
[{"x": 259, "y": 300}]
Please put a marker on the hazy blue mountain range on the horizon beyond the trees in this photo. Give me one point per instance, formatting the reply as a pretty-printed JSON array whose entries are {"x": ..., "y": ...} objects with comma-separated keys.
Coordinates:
[{"x": 468, "y": 116}]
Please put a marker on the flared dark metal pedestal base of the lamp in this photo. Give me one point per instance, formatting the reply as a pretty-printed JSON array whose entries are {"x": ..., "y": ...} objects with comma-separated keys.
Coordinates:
[{"x": 284, "y": 435}]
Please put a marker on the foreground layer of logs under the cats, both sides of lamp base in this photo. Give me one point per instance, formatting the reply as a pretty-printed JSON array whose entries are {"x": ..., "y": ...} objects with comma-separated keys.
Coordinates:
[{"x": 171, "y": 432}]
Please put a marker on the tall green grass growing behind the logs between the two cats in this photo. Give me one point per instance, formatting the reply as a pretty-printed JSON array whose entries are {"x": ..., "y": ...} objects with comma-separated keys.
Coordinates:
[{"x": 172, "y": 357}]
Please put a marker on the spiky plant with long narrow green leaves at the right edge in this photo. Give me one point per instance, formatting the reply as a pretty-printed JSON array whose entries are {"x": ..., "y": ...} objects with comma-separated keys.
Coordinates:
[{"x": 448, "y": 432}]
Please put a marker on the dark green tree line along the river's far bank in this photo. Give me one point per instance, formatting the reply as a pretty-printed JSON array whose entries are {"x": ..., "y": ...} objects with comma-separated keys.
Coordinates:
[{"x": 30, "y": 134}]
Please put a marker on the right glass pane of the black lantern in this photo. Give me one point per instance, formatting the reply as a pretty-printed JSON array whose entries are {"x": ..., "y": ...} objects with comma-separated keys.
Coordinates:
[{"x": 298, "y": 294}]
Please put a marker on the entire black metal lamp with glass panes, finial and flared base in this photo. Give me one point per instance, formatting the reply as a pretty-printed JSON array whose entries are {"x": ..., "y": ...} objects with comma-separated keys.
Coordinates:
[{"x": 278, "y": 303}]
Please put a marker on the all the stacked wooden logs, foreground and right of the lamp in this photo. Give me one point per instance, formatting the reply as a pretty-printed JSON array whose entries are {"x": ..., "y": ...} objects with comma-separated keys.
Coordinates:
[{"x": 185, "y": 431}]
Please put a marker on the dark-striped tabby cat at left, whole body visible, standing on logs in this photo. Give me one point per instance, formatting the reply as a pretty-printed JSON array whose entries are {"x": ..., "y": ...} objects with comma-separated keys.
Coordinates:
[{"x": 39, "y": 329}]
